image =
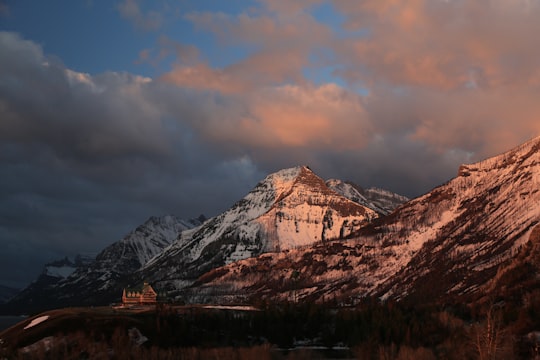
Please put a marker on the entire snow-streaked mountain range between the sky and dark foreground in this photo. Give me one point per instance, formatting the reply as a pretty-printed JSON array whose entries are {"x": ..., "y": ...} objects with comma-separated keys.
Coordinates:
[{"x": 295, "y": 237}]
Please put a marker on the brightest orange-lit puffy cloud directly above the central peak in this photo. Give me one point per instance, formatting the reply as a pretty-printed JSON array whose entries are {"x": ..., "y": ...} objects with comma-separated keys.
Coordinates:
[{"x": 315, "y": 117}]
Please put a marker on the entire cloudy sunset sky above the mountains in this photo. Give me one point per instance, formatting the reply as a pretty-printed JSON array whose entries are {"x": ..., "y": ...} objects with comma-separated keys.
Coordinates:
[{"x": 112, "y": 111}]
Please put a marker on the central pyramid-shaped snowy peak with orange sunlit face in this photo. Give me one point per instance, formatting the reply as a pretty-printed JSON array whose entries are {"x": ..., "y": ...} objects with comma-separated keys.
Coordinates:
[{"x": 290, "y": 209}]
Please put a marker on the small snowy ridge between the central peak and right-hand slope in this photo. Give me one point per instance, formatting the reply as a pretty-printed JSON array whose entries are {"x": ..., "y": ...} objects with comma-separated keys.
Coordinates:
[{"x": 382, "y": 201}]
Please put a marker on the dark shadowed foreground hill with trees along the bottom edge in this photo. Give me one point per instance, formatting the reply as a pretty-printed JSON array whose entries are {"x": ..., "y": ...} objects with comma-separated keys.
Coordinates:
[{"x": 371, "y": 330}]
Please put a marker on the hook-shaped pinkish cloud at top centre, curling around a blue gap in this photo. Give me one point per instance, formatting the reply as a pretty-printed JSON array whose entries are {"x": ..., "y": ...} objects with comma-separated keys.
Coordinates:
[{"x": 279, "y": 46}]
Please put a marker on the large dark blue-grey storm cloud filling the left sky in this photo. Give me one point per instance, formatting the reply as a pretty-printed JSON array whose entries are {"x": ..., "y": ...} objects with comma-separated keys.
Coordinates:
[{"x": 87, "y": 158}]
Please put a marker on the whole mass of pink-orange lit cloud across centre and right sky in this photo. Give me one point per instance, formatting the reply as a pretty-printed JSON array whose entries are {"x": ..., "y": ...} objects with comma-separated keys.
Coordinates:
[{"x": 437, "y": 73}]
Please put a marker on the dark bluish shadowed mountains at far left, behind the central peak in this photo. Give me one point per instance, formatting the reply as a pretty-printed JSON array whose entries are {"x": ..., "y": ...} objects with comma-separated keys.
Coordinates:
[{"x": 97, "y": 281}]
